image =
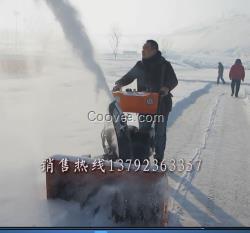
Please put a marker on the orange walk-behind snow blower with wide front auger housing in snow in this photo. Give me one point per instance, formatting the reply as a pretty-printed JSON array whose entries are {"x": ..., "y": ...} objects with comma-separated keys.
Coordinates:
[{"x": 124, "y": 182}]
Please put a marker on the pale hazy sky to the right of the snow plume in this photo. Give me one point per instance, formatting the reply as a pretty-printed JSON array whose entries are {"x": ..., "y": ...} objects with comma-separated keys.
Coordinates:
[{"x": 158, "y": 16}]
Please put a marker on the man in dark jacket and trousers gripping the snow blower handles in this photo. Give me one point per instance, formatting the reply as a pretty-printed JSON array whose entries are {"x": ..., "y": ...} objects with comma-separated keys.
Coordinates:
[{"x": 153, "y": 74}]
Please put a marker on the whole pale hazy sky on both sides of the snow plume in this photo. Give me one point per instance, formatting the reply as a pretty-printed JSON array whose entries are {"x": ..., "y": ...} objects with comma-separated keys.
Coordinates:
[{"x": 132, "y": 17}]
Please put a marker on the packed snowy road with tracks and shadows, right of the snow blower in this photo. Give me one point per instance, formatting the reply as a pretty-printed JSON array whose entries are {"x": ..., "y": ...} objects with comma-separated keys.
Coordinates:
[{"x": 214, "y": 128}]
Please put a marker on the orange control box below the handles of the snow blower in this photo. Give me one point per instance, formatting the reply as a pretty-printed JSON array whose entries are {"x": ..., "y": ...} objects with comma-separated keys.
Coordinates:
[{"x": 137, "y": 102}]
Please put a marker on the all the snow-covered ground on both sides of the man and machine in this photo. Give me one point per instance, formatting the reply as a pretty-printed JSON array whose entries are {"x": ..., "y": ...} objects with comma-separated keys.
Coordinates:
[{"x": 43, "y": 112}]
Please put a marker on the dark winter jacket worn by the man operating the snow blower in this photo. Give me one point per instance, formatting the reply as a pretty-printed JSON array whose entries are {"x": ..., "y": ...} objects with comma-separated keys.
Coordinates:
[{"x": 151, "y": 76}]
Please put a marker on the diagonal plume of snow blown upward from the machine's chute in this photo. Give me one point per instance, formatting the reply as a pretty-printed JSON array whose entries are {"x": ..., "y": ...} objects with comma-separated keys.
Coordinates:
[{"x": 76, "y": 35}]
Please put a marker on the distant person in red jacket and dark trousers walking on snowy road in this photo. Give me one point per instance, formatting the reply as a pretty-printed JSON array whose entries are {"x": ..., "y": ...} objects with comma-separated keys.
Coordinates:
[{"x": 236, "y": 74}]
